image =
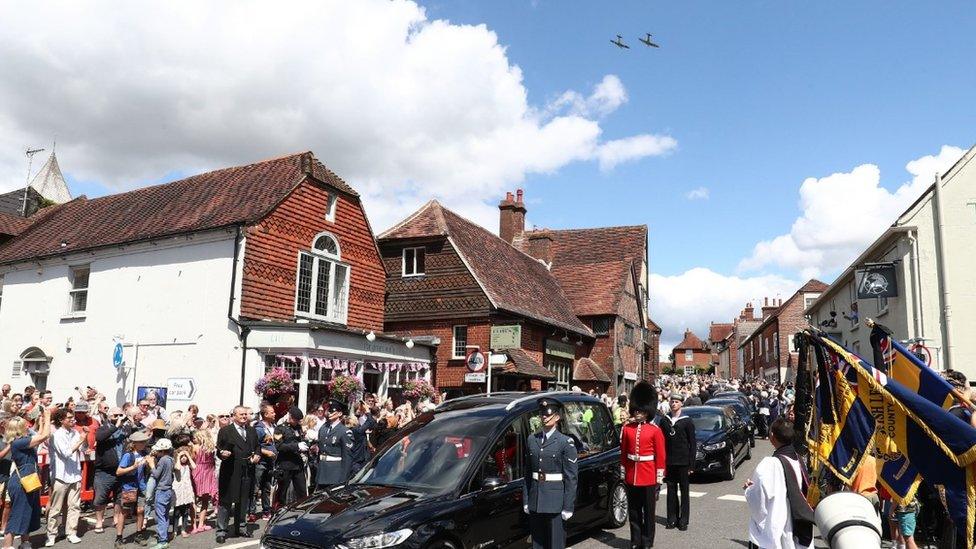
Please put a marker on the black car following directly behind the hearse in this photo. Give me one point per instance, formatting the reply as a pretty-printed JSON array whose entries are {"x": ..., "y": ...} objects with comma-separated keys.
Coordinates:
[{"x": 723, "y": 440}]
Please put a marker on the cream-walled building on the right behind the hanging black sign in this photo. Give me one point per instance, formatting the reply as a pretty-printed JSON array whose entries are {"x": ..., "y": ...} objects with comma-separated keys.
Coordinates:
[{"x": 933, "y": 251}]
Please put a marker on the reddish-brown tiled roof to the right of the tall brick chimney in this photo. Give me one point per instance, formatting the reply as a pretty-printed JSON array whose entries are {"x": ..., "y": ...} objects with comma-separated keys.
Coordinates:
[{"x": 592, "y": 264}]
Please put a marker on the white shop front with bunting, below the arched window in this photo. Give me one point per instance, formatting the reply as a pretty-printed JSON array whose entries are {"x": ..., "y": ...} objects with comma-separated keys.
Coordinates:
[{"x": 315, "y": 355}]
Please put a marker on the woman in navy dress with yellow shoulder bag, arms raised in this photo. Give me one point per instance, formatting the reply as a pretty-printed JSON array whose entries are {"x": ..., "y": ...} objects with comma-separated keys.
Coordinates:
[{"x": 25, "y": 508}]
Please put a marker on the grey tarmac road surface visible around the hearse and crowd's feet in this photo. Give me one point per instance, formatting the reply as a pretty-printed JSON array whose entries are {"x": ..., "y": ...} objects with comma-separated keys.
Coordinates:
[{"x": 719, "y": 519}]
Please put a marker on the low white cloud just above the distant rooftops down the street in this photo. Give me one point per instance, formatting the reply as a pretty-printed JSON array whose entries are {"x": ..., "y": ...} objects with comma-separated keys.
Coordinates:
[{"x": 699, "y": 296}]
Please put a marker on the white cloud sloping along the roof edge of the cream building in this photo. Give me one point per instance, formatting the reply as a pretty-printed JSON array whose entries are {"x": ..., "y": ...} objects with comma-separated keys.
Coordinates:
[{"x": 843, "y": 213}]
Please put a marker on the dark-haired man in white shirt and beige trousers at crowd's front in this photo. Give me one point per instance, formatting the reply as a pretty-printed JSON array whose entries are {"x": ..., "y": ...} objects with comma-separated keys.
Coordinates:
[{"x": 65, "y": 449}]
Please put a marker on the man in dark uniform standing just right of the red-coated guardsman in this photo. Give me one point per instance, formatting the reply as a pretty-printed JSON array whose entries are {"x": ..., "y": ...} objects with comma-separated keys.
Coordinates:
[{"x": 681, "y": 448}]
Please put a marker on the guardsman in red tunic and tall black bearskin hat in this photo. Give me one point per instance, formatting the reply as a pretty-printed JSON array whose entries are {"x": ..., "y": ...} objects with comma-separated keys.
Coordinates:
[{"x": 643, "y": 456}]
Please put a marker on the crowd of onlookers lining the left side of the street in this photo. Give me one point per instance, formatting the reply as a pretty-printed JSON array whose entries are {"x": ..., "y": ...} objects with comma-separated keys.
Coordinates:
[{"x": 187, "y": 472}]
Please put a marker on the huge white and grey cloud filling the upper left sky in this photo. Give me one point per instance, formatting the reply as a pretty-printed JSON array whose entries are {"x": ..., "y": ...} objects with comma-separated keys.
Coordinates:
[{"x": 403, "y": 107}]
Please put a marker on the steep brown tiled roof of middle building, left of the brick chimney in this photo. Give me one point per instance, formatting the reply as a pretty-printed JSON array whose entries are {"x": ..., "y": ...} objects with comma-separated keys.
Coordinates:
[{"x": 513, "y": 281}]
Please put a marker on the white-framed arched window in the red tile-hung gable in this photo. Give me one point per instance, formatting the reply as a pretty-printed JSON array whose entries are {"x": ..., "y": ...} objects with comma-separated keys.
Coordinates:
[{"x": 322, "y": 284}]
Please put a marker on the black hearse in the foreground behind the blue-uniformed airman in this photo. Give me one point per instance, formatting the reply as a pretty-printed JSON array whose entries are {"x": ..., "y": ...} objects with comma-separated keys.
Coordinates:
[{"x": 452, "y": 478}]
